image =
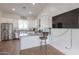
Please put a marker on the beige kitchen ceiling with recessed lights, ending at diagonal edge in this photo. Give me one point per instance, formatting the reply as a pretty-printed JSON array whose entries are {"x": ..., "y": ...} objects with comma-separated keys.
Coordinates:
[{"x": 23, "y": 9}]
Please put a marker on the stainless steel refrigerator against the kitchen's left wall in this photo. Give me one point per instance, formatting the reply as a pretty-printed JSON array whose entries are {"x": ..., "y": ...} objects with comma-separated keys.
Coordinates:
[{"x": 6, "y": 31}]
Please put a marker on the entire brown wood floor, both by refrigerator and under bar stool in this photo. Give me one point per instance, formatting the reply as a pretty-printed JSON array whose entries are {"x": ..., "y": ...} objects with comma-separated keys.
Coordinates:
[{"x": 13, "y": 48}]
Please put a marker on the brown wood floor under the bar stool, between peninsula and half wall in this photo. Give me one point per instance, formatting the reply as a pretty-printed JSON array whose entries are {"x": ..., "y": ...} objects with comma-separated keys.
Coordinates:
[{"x": 37, "y": 51}]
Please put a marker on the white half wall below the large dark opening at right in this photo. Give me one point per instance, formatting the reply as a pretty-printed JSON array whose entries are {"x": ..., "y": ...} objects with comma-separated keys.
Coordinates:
[{"x": 63, "y": 42}]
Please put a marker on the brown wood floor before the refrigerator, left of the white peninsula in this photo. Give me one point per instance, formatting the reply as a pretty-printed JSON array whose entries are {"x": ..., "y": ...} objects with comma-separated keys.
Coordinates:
[{"x": 11, "y": 47}]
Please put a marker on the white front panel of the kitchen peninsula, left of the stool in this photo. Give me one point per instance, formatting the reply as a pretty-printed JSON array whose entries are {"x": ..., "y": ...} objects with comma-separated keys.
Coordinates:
[{"x": 29, "y": 42}]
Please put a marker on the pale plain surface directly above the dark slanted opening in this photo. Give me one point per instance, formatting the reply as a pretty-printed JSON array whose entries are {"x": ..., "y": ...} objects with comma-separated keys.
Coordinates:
[{"x": 59, "y": 8}]
